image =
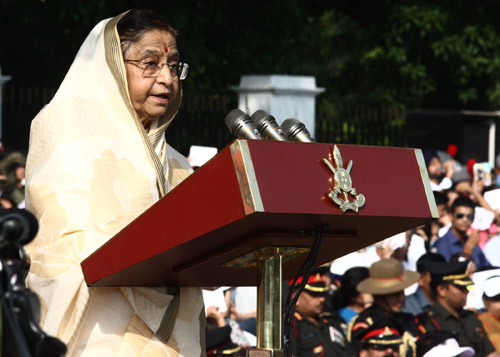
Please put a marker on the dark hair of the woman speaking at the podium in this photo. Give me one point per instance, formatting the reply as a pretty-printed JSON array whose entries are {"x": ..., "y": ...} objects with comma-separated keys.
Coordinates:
[{"x": 135, "y": 23}]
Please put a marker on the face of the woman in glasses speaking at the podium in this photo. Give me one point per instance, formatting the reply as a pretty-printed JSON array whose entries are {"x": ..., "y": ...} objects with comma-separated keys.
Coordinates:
[{"x": 151, "y": 96}]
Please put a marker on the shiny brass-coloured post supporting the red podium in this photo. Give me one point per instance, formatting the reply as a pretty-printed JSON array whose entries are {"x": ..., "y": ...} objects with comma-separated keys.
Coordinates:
[{"x": 269, "y": 299}]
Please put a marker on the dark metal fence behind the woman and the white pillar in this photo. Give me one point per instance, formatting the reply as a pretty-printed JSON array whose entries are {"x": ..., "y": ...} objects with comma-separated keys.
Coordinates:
[{"x": 201, "y": 122}]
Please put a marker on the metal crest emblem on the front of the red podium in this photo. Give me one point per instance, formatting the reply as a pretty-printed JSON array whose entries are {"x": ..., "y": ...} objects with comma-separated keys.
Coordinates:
[{"x": 343, "y": 189}]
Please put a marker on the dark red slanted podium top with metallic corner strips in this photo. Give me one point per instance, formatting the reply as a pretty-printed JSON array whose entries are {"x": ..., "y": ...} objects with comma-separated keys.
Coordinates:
[{"x": 256, "y": 194}]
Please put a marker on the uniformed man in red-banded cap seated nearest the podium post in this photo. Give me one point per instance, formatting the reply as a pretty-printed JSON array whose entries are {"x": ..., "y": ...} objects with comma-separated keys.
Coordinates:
[{"x": 315, "y": 332}]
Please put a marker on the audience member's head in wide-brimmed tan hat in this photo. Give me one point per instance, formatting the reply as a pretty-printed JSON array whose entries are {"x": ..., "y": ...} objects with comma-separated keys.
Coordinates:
[{"x": 386, "y": 283}]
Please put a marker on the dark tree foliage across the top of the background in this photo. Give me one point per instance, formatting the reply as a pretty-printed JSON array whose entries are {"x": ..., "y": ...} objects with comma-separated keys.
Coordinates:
[{"x": 414, "y": 54}]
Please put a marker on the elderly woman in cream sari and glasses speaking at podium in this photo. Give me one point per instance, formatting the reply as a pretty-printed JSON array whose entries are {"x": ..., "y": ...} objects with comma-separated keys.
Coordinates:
[{"x": 97, "y": 159}]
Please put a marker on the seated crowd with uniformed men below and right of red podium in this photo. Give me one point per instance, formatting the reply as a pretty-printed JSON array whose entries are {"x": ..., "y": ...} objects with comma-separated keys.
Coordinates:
[{"x": 430, "y": 291}]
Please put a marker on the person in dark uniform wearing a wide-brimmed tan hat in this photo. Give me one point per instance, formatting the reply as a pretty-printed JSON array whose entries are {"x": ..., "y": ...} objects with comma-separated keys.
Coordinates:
[{"x": 386, "y": 283}]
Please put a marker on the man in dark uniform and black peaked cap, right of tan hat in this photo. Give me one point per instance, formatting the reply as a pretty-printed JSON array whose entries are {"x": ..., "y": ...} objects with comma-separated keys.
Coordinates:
[{"x": 449, "y": 282}]
